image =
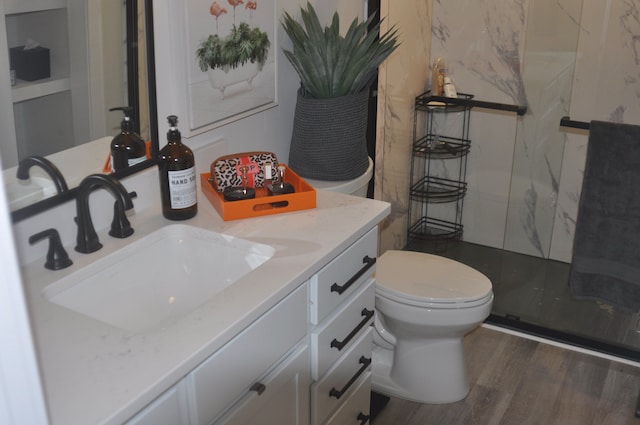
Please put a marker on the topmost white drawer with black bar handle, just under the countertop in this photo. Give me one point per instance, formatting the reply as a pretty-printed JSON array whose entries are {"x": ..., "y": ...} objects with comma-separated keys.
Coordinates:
[{"x": 340, "y": 278}]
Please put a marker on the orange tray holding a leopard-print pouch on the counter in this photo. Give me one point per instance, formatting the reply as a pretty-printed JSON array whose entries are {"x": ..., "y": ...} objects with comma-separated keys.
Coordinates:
[{"x": 304, "y": 198}]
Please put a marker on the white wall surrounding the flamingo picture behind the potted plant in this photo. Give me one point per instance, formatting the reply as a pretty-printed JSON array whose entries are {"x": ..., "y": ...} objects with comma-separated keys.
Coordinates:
[{"x": 268, "y": 130}]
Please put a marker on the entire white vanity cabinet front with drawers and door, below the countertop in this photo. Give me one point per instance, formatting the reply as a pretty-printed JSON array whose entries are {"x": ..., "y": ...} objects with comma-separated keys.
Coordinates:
[{"x": 305, "y": 361}]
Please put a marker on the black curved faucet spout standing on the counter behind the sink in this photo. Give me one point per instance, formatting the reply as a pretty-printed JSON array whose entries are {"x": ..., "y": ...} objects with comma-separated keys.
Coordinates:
[{"x": 87, "y": 239}]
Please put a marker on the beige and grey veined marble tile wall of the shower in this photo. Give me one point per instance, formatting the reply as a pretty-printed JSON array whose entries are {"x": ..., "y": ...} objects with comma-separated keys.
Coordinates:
[{"x": 524, "y": 174}]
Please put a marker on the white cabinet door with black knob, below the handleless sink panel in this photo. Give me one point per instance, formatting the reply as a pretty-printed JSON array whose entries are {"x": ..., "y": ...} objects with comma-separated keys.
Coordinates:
[{"x": 281, "y": 398}]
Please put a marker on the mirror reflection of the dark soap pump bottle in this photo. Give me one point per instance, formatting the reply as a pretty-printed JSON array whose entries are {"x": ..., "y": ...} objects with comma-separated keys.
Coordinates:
[{"x": 127, "y": 148}]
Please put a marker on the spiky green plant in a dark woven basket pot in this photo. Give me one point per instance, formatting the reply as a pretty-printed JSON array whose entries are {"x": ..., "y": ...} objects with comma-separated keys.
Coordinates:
[{"x": 329, "y": 132}]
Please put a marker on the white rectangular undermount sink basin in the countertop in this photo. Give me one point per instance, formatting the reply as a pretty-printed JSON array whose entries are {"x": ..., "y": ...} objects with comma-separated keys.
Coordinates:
[{"x": 164, "y": 275}]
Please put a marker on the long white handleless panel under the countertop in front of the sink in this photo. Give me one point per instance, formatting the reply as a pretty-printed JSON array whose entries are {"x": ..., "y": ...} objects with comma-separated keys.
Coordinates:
[{"x": 229, "y": 372}]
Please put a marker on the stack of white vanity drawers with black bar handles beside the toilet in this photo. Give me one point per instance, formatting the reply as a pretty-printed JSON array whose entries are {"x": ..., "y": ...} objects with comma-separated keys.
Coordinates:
[{"x": 342, "y": 298}]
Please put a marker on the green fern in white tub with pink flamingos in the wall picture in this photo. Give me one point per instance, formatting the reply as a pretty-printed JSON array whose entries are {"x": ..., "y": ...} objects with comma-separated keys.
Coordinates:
[{"x": 237, "y": 57}]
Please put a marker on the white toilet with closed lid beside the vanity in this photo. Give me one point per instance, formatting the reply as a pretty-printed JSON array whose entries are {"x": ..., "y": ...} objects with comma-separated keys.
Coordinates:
[{"x": 425, "y": 304}]
